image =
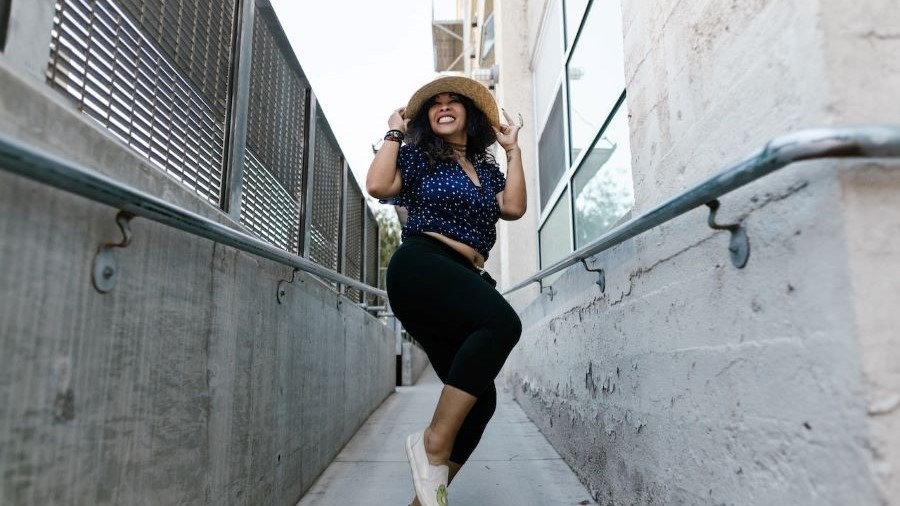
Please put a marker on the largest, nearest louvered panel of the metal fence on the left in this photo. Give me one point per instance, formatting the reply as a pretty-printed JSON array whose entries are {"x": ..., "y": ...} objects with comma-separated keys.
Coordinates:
[{"x": 119, "y": 77}]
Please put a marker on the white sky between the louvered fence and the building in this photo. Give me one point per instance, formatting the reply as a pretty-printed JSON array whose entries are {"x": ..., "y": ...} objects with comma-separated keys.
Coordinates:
[{"x": 363, "y": 59}]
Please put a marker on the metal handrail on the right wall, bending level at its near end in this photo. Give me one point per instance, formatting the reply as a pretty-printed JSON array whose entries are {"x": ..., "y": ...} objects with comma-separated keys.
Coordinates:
[{"x": 834, "y": 142}]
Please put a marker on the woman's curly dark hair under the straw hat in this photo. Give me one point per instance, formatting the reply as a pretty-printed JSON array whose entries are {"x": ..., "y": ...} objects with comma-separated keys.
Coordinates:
[{"x": 480, "y": 136}]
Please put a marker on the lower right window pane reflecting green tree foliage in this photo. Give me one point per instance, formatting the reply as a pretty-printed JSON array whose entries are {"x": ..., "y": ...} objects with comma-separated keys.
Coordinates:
[{"x": 604, "y": 190}]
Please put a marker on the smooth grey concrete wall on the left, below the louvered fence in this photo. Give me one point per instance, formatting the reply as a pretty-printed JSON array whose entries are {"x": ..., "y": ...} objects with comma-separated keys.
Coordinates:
[{"x": 188, "y": 383}]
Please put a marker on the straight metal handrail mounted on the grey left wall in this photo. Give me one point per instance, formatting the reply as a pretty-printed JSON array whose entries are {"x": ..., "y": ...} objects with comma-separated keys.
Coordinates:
[{"x": 24, "y": 160}]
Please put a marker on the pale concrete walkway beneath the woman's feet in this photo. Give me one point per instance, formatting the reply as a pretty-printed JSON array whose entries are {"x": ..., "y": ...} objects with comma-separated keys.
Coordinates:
[{"x": 513, "y": 465}]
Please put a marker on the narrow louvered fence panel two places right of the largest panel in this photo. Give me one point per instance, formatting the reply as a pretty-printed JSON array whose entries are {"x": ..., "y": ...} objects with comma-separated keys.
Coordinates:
[{"x": 325, "y": 210}]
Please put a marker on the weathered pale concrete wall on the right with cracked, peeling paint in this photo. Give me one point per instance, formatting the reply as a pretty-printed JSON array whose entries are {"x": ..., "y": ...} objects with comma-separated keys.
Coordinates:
[{"x": 689, "y": 381}]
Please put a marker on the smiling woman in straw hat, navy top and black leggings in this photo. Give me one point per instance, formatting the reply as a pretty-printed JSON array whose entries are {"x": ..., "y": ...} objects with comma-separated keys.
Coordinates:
[{"x": 451, "y": 185}]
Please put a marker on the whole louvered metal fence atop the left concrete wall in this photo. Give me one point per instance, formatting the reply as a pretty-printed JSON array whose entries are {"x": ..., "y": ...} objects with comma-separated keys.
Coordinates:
[{"x": 165, "y": 77}]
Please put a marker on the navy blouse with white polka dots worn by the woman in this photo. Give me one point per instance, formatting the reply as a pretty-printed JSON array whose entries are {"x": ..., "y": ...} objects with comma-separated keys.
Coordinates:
[{"x": 443, "y": 199}]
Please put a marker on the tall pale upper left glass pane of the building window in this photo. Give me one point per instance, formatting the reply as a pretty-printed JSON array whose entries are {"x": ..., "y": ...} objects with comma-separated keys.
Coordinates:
[{"x": 548, "y": 64}]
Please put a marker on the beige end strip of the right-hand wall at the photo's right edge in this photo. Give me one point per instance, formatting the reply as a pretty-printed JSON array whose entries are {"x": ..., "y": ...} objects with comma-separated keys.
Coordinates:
[{"x": 863, "y": 61}]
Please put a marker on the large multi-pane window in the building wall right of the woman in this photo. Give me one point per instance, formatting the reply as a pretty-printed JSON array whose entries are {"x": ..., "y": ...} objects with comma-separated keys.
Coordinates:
[{"x": 584, "y": 156}]
